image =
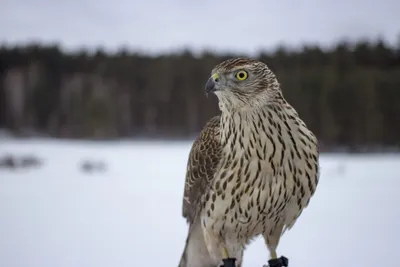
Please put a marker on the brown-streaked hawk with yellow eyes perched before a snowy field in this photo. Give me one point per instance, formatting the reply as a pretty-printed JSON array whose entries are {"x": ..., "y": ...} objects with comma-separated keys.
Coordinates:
[{"x": 252, "y": 169}]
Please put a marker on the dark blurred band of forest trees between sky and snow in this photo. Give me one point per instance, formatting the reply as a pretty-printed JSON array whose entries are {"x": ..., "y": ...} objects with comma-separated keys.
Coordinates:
[{"x": 348, "y": 95}]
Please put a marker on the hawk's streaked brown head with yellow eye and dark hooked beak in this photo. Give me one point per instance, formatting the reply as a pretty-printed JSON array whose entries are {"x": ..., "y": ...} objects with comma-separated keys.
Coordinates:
[{"x": 242, "y": 83}]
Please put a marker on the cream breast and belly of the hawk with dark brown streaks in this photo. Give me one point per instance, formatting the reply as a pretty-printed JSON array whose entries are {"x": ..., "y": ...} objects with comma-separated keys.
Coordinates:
[{"x": 266, "y": 176}]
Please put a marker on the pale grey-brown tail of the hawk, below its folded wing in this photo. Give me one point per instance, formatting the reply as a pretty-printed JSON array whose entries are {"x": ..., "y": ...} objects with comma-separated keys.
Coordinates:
[{"x": 195, "y": 253}]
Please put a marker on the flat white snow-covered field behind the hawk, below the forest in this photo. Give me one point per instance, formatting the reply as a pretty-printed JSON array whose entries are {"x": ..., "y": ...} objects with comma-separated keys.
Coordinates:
[{"x": 130, "y": 214}]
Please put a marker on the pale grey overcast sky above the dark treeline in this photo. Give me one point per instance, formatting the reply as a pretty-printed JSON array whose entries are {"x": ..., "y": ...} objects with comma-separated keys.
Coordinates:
[{"x": 156, "y": 26}]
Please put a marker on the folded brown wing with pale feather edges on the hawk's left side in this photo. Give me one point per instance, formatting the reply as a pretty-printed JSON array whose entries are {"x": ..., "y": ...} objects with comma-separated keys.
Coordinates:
[{"x": 202, "y": 163}]
